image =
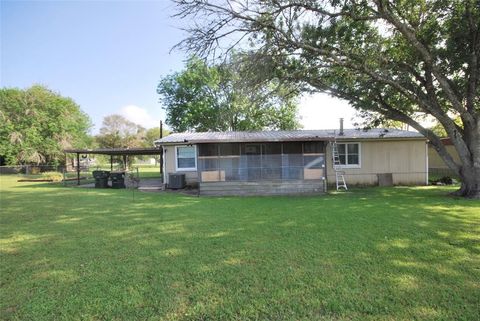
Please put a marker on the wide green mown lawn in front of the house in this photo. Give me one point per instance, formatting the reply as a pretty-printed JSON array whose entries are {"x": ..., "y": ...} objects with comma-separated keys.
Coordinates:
[{"x": 369, "y": 254}]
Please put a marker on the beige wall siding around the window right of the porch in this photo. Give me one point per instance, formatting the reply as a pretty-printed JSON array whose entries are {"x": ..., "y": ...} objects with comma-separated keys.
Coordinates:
[{"x": 405, "y": 159}]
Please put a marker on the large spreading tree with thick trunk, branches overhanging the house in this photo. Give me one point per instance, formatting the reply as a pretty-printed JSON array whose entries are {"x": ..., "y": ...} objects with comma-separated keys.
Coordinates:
[{"x": 390, "y": 59}]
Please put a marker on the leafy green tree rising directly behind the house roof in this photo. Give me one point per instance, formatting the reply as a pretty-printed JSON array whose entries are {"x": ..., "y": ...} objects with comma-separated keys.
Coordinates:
[{"x": 204, "y": 97}]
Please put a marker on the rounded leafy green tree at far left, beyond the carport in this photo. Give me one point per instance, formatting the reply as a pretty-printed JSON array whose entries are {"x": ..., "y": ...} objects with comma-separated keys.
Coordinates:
[{"x": 37, "y": 124}]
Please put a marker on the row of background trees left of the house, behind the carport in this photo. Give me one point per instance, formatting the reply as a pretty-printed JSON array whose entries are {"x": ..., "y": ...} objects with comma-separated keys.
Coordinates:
[{"x": 38, "y": 124}]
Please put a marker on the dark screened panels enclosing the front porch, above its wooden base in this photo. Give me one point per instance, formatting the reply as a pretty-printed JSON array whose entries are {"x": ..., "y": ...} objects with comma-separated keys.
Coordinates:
[{"x": 253, "y": 162}]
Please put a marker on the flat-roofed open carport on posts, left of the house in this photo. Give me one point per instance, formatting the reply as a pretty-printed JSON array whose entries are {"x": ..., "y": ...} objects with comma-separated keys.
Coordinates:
[{"x": 123, "y": 152}]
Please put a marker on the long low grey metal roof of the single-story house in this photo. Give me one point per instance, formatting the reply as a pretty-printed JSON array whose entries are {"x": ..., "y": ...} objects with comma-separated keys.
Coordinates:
[{"x": 281, "y": 136}]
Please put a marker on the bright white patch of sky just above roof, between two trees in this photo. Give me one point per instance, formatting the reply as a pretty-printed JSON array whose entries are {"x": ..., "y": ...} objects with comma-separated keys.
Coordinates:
[{"x": 320, "y": 111}]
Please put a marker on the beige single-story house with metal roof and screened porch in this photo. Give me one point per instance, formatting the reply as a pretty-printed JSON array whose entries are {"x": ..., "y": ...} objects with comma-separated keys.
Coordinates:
[{"x": 289, "y": 162}]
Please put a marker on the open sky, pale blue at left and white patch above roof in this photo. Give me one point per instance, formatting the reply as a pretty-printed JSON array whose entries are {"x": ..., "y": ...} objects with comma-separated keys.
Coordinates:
[{"x": 109, "y": 56}]
